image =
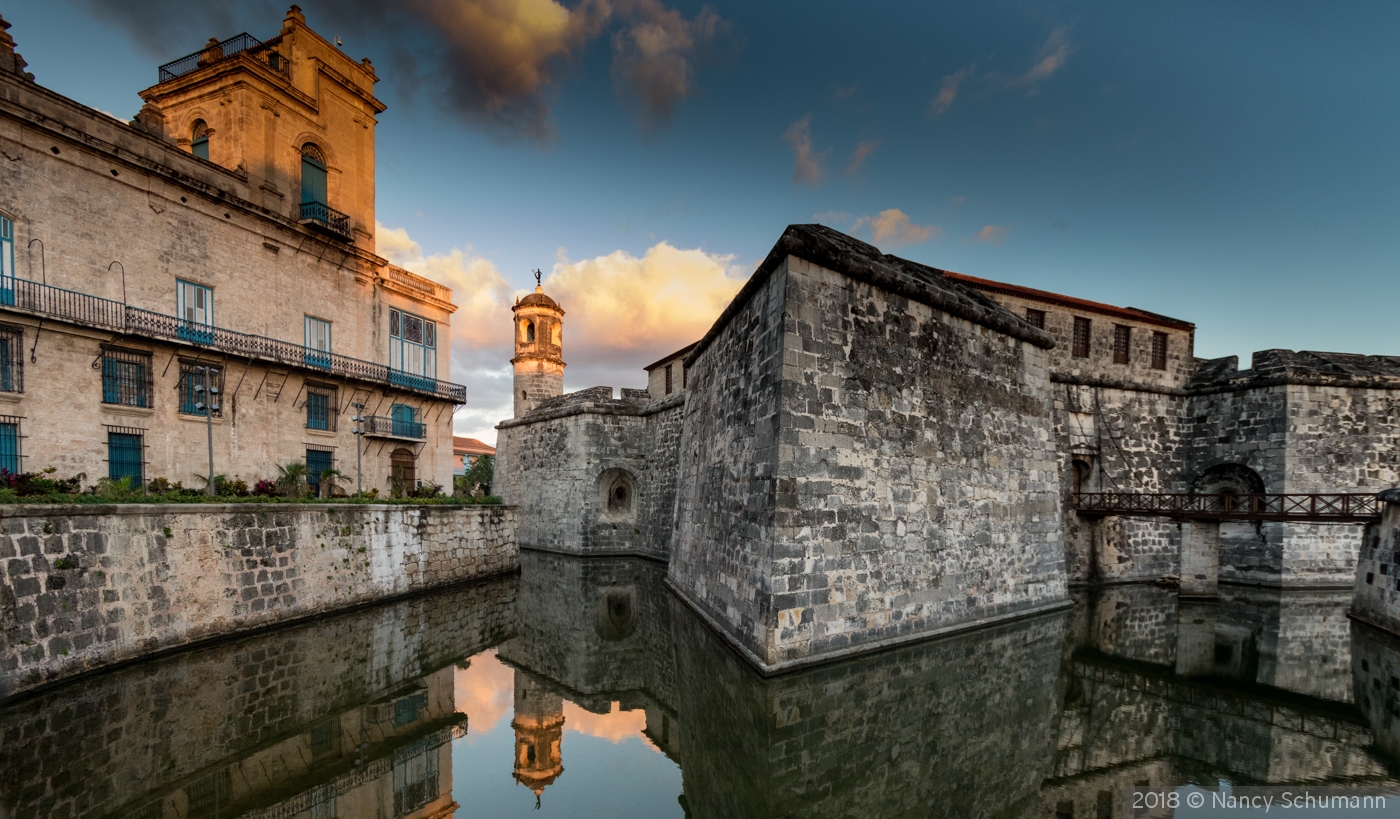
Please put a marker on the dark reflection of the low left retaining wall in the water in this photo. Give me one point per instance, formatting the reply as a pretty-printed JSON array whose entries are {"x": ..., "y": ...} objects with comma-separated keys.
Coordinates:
[{"x": 181, "y": 717}]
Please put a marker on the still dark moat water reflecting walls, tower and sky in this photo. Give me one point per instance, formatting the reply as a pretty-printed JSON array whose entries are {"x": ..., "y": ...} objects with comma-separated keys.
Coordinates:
[{"x": 583, "y": 688}]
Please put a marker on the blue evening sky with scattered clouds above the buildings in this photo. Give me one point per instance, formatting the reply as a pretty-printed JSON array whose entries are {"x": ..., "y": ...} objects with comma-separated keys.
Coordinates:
[{"x": 1233, "y": 164}]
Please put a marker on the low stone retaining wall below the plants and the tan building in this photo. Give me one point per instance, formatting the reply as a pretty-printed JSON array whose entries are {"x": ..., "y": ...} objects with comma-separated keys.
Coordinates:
[{"x": 94, "y": 586}]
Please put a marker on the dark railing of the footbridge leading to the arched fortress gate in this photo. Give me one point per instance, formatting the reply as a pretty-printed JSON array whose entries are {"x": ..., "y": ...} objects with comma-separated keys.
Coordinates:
[{"x": 1237, "y": 507}]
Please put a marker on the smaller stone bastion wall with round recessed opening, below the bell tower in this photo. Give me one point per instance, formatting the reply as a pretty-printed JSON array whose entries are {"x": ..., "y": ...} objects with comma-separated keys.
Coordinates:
[{"x": 562, "y": 463}]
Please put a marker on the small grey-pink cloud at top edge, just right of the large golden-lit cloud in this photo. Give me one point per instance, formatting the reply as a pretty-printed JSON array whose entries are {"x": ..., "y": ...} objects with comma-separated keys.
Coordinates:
[{"x": 654, "y": 57}]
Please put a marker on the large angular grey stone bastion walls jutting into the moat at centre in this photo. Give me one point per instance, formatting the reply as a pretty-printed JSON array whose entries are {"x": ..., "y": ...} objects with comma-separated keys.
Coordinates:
[{"x": 897, "y": 475}]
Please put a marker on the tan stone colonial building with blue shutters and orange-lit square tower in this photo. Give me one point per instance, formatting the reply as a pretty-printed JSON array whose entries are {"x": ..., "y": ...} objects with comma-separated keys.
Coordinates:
[{"x": 215, "y": 253}]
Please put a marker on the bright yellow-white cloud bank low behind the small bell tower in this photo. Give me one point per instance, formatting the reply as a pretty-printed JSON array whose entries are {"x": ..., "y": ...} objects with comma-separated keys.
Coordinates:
[{"x": 622, "y": 313}]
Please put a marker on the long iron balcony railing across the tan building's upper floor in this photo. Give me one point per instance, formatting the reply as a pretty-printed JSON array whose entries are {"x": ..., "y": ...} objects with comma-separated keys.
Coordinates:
[{"x": 114, "y": 316}]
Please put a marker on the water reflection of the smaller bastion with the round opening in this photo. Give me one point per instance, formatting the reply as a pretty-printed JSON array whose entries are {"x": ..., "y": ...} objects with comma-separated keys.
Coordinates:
[{"x": 598, "y": 628}]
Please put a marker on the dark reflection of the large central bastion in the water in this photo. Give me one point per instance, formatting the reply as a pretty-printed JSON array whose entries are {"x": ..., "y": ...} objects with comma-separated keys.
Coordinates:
[{"x": 957, "y": 727}]
